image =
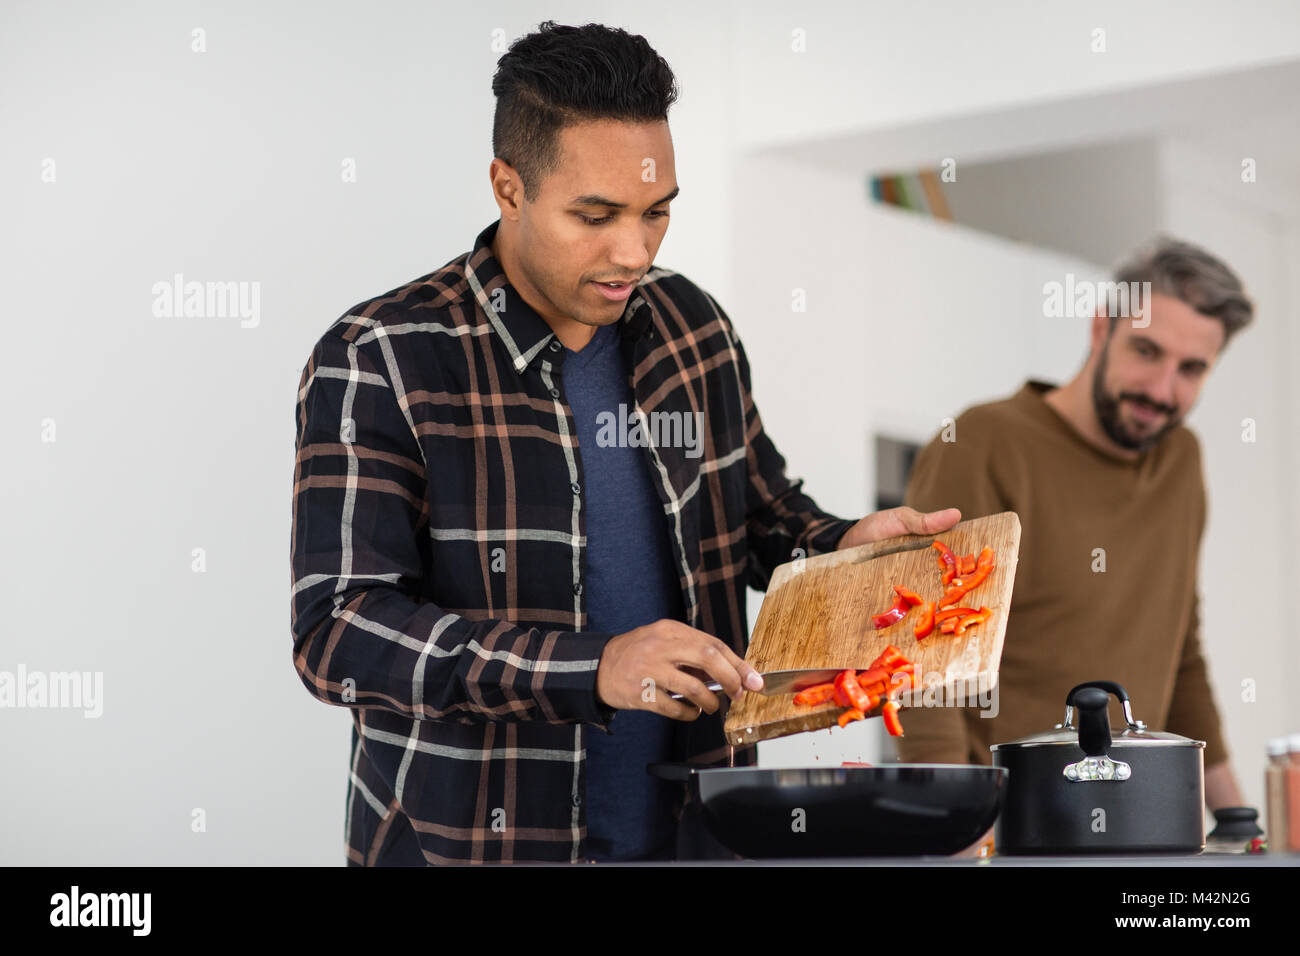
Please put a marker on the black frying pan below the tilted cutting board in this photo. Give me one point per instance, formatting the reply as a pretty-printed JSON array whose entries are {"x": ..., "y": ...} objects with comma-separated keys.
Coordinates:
[{"x": 898, "y": 810}]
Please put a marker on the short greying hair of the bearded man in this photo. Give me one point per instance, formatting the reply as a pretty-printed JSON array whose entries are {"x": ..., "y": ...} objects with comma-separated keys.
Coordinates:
[{"x": 1194, "y": 276}]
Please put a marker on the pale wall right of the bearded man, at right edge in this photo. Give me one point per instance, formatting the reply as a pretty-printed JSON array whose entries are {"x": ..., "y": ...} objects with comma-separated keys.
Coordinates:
[{"x": 1247, "y": 592}]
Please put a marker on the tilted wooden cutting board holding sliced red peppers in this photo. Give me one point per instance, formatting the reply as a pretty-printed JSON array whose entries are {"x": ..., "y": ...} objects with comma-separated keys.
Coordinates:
[{"x": 817, "y": 613}]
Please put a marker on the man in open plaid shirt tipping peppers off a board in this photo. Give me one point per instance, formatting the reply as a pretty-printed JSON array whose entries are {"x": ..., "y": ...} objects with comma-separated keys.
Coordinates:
[{"x": 531, "y": 491}]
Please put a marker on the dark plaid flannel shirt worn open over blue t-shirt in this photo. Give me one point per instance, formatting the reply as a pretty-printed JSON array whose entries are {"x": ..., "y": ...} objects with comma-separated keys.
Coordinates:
[{"x": 439, "y": 542}]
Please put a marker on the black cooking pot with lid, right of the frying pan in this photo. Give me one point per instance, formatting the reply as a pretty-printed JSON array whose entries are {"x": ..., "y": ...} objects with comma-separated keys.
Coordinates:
[{"x": 1086, "y": 790}]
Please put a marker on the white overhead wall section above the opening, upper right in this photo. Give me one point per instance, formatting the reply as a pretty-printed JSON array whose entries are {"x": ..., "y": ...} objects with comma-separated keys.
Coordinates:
[{"x": 902, "y": 62}]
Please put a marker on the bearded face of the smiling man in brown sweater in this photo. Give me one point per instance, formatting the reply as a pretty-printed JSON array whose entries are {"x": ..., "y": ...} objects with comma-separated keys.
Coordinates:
[{"x": 1147, "y": 380}]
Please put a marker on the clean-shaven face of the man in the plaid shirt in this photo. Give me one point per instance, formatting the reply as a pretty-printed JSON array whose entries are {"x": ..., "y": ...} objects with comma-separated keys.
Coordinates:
[{"x": 599, "y": 218}]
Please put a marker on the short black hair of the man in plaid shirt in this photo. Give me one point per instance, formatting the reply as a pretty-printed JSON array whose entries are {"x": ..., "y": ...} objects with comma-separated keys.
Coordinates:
[{"x": 561, "y": 76}]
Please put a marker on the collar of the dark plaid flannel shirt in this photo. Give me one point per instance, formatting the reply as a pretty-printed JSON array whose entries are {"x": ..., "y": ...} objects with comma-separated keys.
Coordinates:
[{"x": 525, "y": 334}]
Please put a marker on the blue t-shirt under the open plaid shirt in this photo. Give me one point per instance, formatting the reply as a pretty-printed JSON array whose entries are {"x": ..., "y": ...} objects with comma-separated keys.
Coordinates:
[{"x": 630, "y": 581}]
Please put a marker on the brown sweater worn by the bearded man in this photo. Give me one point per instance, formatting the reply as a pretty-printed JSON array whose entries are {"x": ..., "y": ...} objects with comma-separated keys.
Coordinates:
[{"x": 1136, "y": 624}]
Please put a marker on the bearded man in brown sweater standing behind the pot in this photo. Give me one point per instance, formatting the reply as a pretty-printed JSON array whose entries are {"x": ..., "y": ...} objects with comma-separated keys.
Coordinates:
[{"x": 1108, "y": 486}]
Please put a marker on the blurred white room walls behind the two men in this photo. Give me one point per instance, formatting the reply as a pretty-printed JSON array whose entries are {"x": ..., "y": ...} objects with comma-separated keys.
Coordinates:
[{"x": 918, "y": 170}]
